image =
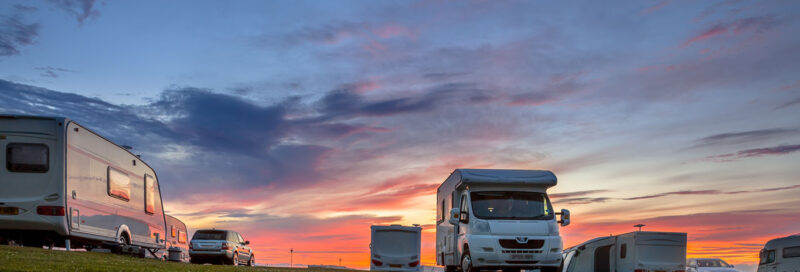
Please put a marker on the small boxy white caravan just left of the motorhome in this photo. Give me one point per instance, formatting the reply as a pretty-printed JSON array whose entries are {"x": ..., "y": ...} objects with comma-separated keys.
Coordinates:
[{"x": 395, "y": 248}]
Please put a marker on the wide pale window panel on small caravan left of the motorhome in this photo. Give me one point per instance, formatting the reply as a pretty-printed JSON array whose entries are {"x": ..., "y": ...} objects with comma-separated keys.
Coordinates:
[{"x": 395, "y": 242}]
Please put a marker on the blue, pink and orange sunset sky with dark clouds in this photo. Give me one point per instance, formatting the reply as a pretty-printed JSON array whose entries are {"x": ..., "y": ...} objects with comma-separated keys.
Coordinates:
[{"x": 302, "y": 123}]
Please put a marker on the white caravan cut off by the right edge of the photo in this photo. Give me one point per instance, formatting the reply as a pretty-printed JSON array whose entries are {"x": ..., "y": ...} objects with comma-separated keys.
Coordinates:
[{"x": 781, "y": 255}]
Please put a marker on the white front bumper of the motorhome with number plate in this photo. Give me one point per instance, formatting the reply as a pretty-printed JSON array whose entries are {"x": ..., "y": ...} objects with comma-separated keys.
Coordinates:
[{"x": 486, "y": 251}]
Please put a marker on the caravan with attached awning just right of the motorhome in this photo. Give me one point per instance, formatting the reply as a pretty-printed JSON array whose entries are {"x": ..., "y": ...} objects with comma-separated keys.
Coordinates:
[{"x": 641, "y": 251}]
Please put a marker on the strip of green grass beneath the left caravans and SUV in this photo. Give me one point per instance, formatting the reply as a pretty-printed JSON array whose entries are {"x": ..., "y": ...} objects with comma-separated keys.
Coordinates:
[{"x": 14, "y": 258}]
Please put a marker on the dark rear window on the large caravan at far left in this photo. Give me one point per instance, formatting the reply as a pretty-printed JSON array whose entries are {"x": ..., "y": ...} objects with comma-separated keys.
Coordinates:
[{"x": 31, "y": 158}]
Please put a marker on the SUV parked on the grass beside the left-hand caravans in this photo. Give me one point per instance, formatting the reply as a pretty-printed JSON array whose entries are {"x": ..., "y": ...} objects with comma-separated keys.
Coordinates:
[{"x": 220, "y": 246}]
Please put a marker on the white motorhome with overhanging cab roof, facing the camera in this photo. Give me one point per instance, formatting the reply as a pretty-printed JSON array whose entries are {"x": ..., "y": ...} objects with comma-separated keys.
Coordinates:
[{"x": 498, "y": 219}]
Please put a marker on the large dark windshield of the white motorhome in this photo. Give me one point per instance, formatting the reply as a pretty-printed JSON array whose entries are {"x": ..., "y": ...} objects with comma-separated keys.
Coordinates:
[{"x": 511, "y": 205}]
